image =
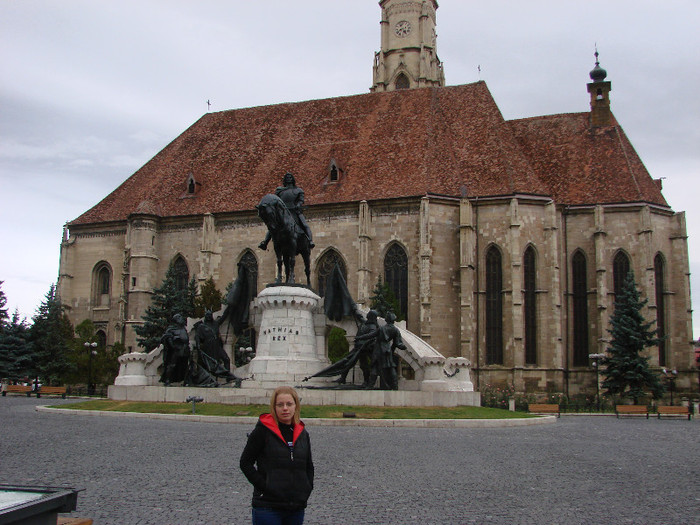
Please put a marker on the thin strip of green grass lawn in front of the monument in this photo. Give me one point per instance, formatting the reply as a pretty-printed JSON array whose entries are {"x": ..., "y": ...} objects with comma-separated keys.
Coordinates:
[{"x": 307, "y": 411}]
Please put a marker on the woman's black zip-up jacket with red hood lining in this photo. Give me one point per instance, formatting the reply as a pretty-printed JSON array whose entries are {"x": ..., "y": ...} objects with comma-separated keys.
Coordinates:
[{"x": 282, "y": 476}]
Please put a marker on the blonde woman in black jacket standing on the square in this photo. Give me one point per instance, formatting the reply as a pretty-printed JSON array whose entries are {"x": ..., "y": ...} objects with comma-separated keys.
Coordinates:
[{"x": 277, "y": 462}]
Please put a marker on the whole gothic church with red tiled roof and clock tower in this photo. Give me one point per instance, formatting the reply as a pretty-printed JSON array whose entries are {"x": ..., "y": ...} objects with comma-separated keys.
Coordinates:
[{"x": 505, "y": 242}]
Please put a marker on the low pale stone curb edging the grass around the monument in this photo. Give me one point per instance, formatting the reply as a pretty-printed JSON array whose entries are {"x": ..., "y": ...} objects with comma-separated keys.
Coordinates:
[{"x": 312, "y": 422}]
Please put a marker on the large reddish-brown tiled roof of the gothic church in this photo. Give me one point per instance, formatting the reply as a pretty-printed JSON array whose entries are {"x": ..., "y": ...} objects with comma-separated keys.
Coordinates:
[{"x": 448, "y": 141}]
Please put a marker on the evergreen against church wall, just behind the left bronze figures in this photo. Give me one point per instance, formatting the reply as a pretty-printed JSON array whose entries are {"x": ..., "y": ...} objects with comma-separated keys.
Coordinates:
[{"x": 167, "y": 300}]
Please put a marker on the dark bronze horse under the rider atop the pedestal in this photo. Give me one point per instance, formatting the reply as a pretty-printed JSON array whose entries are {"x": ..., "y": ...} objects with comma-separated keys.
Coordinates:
[{"x": 288, "y": 238}]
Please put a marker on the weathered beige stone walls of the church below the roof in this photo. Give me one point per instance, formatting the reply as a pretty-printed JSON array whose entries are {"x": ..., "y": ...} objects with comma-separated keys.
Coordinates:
[{"x": 446, "y": 240}]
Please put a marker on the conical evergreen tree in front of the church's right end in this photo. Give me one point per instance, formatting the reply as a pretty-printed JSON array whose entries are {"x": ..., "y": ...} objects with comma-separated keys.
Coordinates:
[{"x": 626, "y": 370}]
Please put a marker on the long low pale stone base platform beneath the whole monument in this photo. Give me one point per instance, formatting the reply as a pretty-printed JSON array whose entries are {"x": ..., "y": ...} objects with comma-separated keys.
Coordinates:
[{"x": 252, "y": 394}]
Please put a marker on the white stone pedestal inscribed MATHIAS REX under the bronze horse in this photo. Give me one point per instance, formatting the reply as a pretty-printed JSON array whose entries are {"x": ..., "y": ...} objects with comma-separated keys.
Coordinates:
[{"x": 291, "y": 330}]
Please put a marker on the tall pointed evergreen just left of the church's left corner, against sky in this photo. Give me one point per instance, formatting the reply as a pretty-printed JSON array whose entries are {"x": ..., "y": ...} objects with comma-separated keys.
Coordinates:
[{"x": 52, "y": 335}]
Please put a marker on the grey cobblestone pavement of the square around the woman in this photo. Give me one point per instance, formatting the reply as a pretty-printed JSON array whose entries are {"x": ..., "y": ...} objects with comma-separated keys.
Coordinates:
[{"x": 581, "y": 470}]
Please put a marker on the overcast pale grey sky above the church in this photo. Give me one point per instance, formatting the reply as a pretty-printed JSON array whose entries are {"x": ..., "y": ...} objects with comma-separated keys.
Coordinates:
[{"x": 91, "y": 90}]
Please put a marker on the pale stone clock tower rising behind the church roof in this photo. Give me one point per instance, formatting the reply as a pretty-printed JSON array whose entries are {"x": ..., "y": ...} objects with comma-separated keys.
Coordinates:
[{"x": 408, "y": 56}]
